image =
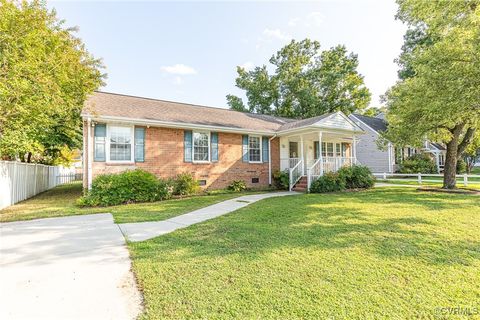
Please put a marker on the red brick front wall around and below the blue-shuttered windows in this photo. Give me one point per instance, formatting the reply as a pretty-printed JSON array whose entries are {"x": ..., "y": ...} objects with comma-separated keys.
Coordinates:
[{"x": 164, "y": 157}]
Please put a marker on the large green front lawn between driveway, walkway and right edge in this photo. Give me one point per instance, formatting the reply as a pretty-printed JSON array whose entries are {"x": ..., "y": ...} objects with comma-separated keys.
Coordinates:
[{"x": 391, "y": 253}]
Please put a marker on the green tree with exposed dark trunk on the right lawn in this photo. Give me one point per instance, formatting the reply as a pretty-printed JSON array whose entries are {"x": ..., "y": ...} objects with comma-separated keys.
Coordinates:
[{"x": 438, "y": 96}]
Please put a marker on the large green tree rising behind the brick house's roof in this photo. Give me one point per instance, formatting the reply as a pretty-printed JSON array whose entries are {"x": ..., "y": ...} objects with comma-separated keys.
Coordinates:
[{"x": 306, "y": 82}]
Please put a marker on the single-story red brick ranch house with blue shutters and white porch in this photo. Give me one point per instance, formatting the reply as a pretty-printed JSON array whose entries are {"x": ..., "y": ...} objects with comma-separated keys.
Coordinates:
[{"x": 216, "y": 145}]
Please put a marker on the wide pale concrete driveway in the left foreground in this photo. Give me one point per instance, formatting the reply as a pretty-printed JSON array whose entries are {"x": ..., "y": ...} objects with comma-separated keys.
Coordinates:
[{"x": 66, "y": 268}]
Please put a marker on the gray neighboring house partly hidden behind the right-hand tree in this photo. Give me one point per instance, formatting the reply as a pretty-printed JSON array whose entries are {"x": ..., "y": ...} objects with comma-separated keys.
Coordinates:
[{"x": 388, "y": 158}]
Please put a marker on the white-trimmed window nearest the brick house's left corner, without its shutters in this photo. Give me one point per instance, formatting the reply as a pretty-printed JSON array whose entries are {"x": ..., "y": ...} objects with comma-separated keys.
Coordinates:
[{"x": 120, "y": 140}]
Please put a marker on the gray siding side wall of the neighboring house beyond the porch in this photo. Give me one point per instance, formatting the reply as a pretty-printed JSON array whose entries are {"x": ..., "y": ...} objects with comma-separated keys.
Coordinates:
[{"x": 368, "y": 153}]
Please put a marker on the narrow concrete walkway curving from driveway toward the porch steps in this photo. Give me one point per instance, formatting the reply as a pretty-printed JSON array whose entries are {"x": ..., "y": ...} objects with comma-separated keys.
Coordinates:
[{"x": 147, "y": 230}]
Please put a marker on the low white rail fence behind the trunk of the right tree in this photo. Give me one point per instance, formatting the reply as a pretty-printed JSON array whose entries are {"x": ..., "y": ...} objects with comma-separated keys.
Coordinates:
[{"x": 423, "y": 177}]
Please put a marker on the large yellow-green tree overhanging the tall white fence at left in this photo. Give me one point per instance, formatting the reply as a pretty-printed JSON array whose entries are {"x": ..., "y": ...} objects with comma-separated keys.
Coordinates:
[{"x": 45, "y": 76}]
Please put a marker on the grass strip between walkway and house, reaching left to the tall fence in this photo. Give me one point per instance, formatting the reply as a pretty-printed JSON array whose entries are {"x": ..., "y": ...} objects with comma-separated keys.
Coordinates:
[{"x": 60, "y": 201}]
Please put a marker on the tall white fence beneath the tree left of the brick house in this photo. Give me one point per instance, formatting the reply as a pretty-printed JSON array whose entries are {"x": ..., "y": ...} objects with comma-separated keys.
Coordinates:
[{"x": 20, "y": 180}]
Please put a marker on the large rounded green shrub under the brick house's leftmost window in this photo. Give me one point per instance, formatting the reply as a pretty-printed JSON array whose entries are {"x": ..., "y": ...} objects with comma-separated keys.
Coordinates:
[{"x": 126, "y": 187}]
